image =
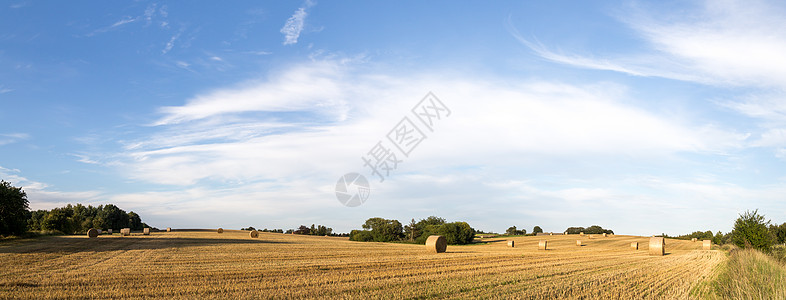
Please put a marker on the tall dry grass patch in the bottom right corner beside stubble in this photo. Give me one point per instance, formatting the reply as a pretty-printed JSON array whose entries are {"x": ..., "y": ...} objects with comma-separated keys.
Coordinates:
[{"x": 747, "y": 274}]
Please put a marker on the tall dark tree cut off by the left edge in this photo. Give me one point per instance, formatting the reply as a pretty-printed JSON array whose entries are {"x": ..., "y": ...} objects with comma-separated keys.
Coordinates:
[{"x": 13, "y": 209}]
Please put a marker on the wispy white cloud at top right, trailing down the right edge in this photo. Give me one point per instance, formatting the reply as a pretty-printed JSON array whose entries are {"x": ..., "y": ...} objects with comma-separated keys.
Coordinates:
[{"x": 727, "y": 44}]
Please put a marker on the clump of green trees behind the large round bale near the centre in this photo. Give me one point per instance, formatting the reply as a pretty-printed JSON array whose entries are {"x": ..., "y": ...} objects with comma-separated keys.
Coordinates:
[{"x": 385, "y": 230}]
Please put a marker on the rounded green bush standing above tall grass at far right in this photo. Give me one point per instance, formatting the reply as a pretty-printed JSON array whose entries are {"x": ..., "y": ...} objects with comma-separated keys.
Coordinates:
[{"x": 751, "y": 231}]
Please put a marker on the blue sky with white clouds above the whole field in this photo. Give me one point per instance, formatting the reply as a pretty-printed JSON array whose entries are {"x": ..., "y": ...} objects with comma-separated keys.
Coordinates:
[{"x": 636, "y": 116}]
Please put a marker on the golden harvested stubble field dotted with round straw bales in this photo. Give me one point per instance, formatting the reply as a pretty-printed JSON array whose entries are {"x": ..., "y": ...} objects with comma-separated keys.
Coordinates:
[{"x": 205, "y": 264}]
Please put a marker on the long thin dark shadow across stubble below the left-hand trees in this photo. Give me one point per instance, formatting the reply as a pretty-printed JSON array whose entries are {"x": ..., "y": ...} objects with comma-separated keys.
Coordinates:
[{"x": 71, "y": 244}]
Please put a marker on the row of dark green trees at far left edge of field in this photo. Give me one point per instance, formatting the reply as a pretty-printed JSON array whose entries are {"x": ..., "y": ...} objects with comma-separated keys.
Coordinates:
[{"x": 16, "y": 217}]
